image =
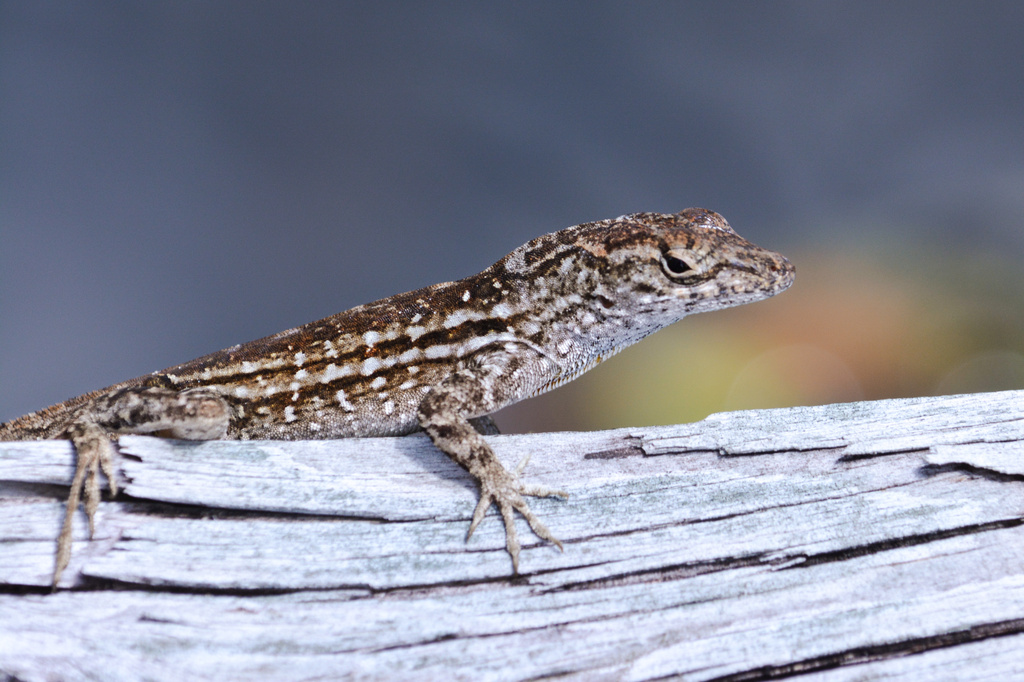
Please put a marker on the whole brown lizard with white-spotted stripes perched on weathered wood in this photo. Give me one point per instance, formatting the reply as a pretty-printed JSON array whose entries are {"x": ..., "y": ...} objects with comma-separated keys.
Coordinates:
[{"x": 439, "y": 360}]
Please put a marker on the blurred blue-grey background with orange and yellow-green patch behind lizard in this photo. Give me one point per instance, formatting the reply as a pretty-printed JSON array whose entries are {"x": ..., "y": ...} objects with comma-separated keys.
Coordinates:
[{"x": 179, "y": 178}]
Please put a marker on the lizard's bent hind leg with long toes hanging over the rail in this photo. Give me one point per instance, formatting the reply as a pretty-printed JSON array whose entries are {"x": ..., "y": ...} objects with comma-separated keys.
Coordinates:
[{"x": 197, "y": 414}]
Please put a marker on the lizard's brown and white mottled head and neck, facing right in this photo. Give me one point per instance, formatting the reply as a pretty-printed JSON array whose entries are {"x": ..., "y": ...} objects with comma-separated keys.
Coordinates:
[{"x": 615, "y": 282}]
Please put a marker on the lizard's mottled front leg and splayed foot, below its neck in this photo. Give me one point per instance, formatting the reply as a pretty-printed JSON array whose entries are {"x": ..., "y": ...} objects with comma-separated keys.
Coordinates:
[{"x": 486, "y": 382}]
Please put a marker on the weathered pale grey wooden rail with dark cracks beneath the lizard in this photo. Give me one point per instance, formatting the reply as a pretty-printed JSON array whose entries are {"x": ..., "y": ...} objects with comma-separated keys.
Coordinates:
[{"x": 840, "y": 542}]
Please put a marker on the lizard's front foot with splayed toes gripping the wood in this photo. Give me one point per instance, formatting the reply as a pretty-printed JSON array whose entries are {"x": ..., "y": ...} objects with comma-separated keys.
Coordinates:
[{"x": 506, "y": 491}]
